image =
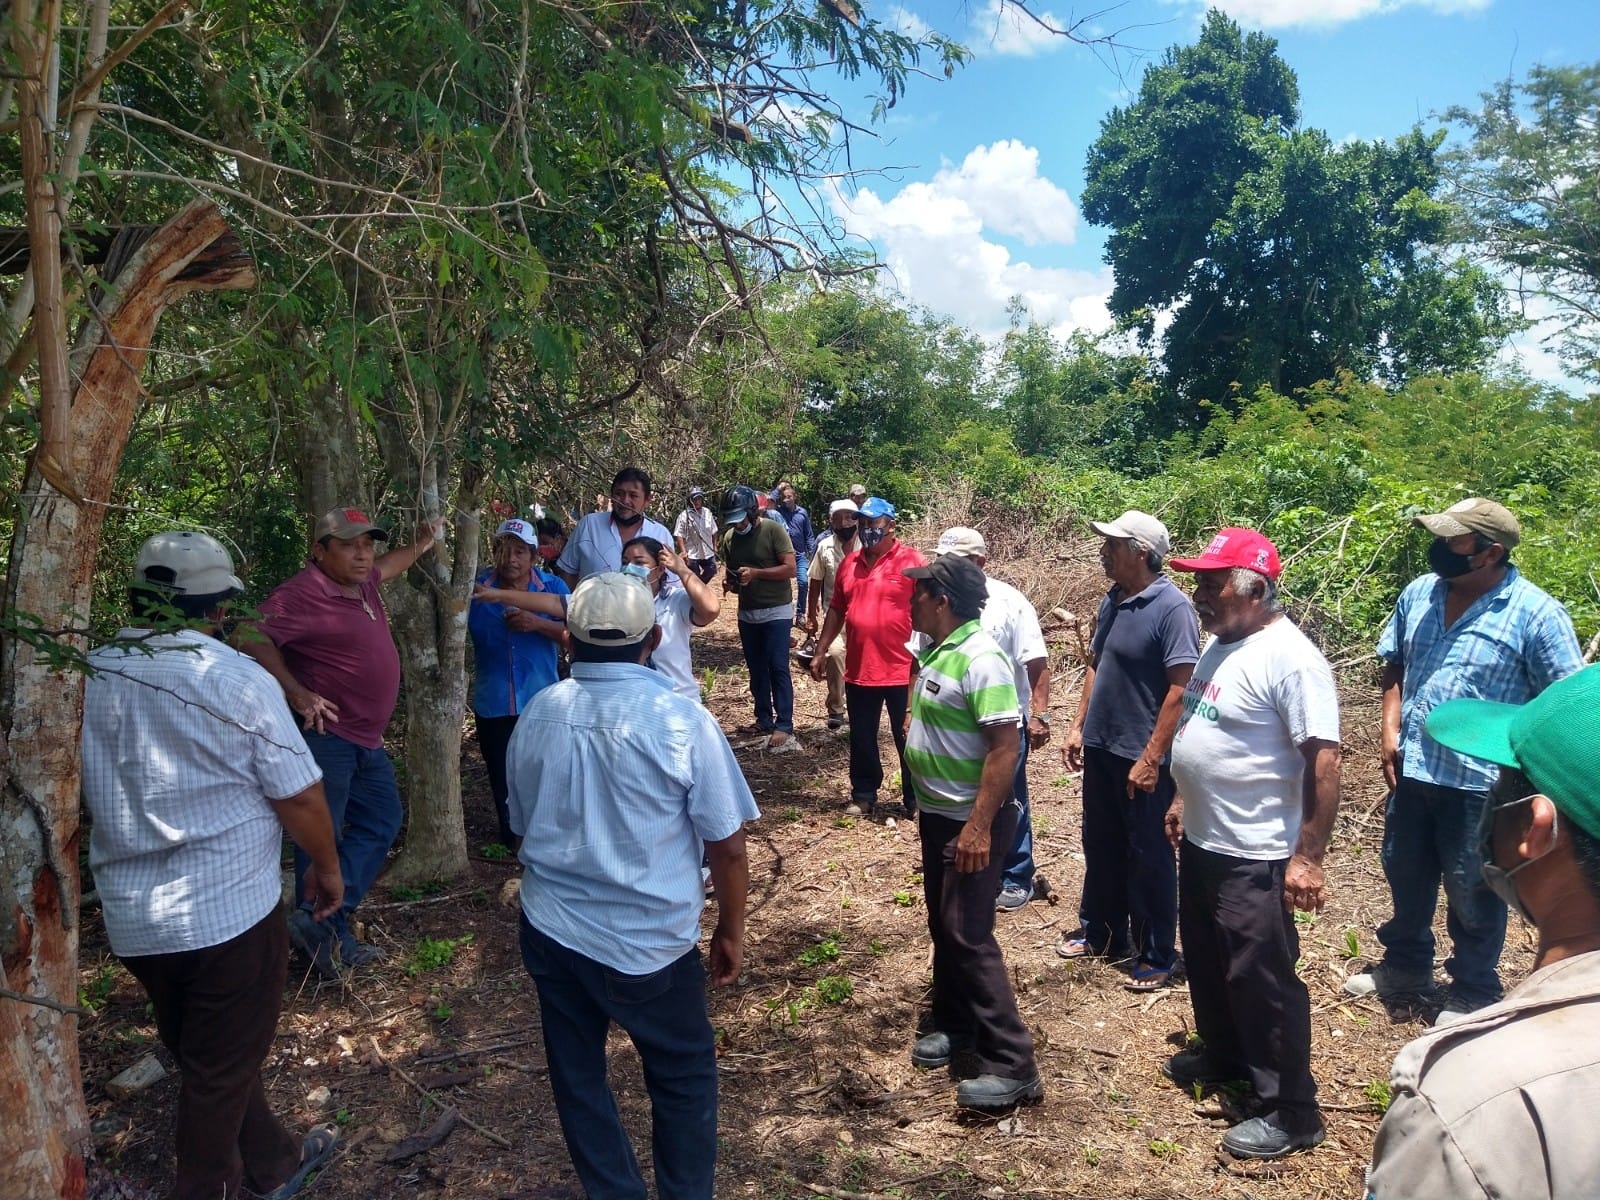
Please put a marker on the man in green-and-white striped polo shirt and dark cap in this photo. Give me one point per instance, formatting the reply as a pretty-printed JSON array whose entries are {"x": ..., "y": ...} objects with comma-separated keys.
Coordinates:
[{"x": 961, "y": 758}]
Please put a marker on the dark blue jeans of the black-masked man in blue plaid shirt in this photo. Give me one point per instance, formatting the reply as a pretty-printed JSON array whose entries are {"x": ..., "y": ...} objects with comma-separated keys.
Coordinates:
[{"x": 1431, "y": 836}]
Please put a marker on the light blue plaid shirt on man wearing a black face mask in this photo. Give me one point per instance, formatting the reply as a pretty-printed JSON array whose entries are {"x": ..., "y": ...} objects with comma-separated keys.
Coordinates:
[{"x": 1508, "y": 647}]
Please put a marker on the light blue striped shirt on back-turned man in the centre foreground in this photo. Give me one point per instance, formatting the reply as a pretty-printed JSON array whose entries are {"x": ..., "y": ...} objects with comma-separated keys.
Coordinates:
[{"x": 617, "y": 783}]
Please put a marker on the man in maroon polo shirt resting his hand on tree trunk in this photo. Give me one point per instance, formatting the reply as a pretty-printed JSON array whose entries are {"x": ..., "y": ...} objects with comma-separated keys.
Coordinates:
[{"x": 327, "y": 644}]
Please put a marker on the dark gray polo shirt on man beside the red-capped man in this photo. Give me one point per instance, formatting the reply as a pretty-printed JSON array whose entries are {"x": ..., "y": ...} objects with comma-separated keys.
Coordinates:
[{"x": 1137, "y": 641}]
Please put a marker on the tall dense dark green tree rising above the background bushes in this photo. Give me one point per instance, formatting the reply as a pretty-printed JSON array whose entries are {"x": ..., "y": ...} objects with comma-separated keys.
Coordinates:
[{"x": 1274, "y": 257}]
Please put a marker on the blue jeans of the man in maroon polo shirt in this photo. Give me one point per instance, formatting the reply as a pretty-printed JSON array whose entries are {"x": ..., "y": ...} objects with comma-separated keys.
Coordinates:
[{"x": 364, "y": 802}]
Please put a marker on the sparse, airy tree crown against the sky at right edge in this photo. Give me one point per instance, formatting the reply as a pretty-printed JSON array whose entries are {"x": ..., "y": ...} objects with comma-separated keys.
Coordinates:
[{"x": 1529, "y": 185}]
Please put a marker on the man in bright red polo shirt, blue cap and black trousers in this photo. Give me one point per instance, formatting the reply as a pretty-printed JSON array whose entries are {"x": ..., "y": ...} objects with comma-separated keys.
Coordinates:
[{"x": 873, "y": 604}]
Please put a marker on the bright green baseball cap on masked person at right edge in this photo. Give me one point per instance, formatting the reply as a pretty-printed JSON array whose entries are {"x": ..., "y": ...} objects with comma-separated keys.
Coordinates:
[{"x": 1554, "y": 740}]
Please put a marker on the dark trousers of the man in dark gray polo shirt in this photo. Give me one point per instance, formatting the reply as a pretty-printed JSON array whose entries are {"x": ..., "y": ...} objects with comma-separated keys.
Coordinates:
[{"x": 1130, "y": 878}]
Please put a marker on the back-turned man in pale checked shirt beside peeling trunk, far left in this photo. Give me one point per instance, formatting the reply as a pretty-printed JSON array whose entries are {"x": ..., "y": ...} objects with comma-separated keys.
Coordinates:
[{"x": 193, "y": 774}]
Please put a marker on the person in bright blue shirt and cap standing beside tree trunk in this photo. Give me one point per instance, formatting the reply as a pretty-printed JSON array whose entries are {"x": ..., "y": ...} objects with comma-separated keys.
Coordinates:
[{"x": 514, "y": 650}]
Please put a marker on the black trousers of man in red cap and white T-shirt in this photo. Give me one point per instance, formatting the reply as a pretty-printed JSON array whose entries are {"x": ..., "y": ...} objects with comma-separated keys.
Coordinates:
[{"x": 1250, "y": 1007}]
